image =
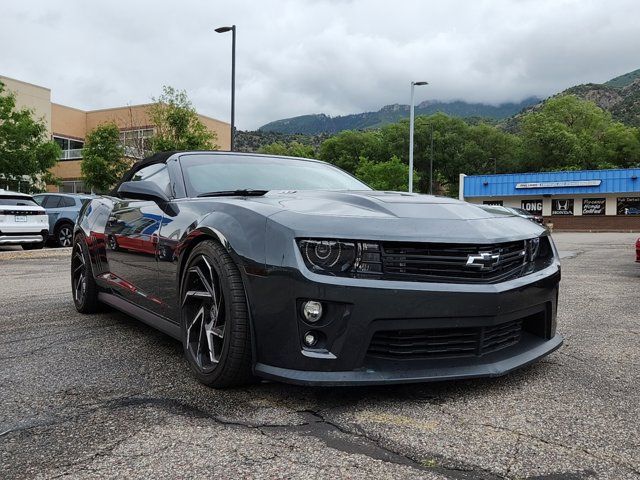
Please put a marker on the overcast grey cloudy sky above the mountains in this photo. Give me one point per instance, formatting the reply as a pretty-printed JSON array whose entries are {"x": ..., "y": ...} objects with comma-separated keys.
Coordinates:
[{"x": 316, "y": 56}]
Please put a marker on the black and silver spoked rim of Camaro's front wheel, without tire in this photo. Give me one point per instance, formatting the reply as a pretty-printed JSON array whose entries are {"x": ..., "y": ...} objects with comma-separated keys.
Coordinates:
[{"x": 204, "y": 312}]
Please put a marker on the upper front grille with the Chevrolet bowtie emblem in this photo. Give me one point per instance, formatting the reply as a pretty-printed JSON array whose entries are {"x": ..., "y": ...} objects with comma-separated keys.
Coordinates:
[{"x": 442, "y": 262}]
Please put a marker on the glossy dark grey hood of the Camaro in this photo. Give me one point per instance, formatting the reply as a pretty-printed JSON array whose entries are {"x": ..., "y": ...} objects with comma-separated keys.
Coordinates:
[{"x": 393, "y": 216}]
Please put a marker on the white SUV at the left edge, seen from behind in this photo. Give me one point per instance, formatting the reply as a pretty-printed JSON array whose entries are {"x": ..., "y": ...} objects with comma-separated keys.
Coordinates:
[{"x": 22, "y": 221}]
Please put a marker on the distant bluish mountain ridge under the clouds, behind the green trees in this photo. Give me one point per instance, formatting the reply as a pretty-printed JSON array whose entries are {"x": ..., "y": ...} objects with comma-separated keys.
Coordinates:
[{"x": 321, "y": 123}]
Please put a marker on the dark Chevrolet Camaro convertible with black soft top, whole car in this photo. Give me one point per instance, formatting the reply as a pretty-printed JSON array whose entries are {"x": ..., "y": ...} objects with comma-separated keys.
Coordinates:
[{"x": 293, "y": 270}]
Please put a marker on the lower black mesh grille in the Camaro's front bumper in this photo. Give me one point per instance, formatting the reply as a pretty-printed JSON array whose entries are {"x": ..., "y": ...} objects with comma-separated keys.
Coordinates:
[{"x": 445, "y": 342}]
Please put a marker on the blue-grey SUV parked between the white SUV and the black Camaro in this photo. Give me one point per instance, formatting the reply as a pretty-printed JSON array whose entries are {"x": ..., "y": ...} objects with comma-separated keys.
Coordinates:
[{"x": 62, "y": 209}]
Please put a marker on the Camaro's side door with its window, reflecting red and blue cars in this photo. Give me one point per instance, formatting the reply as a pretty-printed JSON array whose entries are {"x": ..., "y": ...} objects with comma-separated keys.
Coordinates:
[{"x": 132, "y": 237}]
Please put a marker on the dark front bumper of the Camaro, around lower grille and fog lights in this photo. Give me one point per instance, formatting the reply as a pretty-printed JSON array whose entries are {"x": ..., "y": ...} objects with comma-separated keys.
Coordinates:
[{"x": 357, "y": 308}]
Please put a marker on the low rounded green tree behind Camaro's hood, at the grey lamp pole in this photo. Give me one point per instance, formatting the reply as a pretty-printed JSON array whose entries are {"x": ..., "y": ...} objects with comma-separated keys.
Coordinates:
[{"x": 389, "y": 175}]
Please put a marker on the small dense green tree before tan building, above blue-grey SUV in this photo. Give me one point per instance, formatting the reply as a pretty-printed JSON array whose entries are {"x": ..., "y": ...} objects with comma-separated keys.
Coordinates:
[{"x": 103, "y": 161}]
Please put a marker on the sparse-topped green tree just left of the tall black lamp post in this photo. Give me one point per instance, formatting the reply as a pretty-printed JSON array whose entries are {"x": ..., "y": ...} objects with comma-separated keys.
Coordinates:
[{"x": 176, "y": 122}]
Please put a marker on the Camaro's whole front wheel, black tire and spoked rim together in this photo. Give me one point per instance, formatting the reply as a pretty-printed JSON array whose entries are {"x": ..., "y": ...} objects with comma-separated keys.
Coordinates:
[{"x": 214, "y": 318}]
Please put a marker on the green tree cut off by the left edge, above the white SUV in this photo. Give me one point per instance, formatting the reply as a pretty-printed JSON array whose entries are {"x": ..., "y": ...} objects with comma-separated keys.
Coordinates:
[{"x": 25, "y": 147}]
